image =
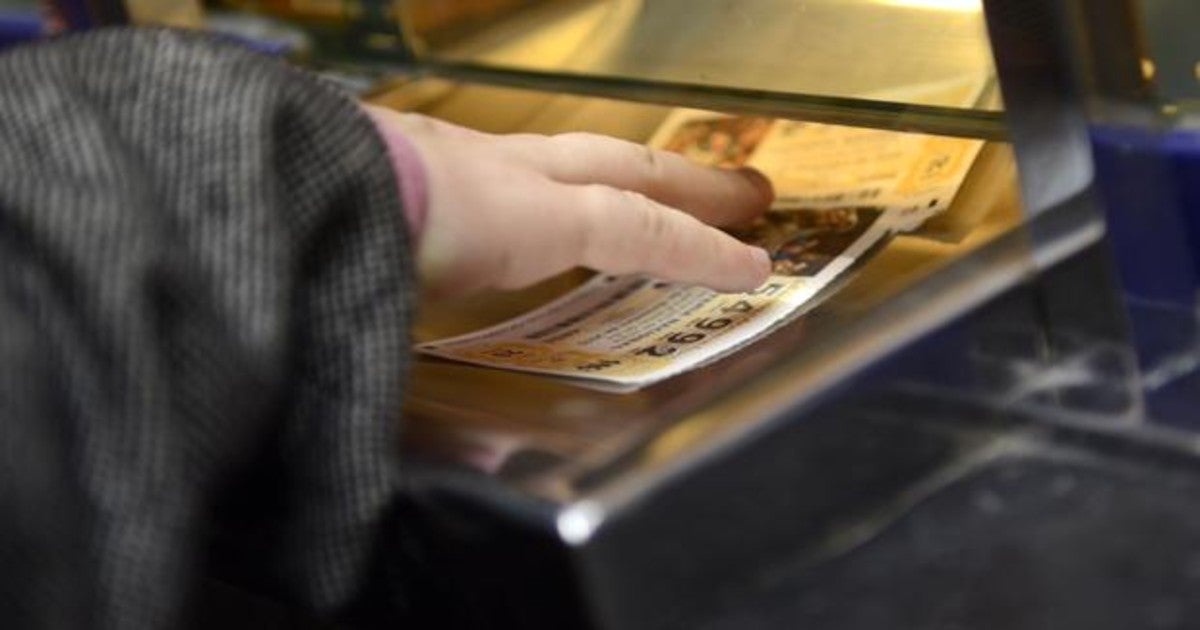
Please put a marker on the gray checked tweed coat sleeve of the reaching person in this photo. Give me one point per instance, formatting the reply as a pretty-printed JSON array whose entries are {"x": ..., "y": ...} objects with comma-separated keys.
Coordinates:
[{"x": 205, "y": 299}]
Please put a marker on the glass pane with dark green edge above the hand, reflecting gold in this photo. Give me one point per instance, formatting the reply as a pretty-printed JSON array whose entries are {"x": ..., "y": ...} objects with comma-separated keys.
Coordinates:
[{"x": 893, "y": 64}]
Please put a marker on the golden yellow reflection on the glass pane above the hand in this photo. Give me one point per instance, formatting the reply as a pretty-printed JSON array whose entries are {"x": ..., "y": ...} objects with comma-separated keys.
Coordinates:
[{"x": 885, "y": 50}]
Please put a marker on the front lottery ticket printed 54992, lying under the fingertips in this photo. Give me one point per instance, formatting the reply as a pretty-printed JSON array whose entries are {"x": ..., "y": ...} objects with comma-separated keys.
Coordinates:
[{"x": 637, "y": 331}]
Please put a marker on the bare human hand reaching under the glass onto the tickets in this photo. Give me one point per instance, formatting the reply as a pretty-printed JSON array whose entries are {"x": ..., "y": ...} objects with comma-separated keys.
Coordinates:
[{"x": 507, "y": 212}]
